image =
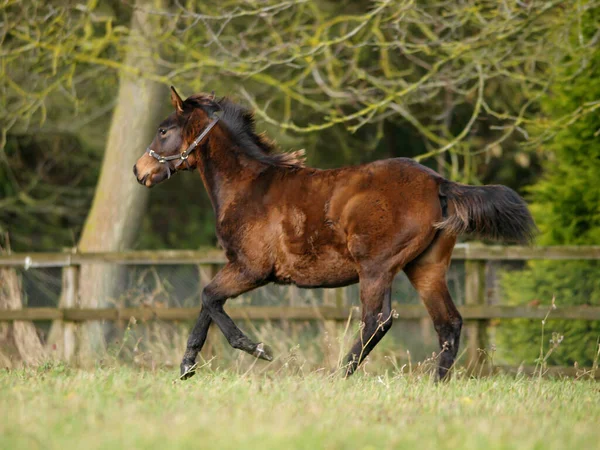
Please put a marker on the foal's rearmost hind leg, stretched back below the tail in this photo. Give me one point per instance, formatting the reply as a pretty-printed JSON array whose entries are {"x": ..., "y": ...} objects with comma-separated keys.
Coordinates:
[{"x": 428, "y": 275}]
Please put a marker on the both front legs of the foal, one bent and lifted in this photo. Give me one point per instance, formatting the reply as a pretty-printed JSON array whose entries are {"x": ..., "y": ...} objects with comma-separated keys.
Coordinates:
[{"x": 231, "y": 281}]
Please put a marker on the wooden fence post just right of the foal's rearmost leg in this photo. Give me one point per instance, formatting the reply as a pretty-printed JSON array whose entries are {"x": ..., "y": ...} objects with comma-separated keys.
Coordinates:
[{"x": 476, "y": 330}]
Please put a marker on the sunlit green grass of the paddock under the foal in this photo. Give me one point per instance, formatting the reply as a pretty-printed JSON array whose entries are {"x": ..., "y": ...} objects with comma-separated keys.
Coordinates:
[{"x": 124, "y": 407}]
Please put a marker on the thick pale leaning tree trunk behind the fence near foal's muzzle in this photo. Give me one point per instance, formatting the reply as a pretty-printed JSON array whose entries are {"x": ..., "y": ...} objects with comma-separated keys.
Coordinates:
[{"x": 119, "y": 202}]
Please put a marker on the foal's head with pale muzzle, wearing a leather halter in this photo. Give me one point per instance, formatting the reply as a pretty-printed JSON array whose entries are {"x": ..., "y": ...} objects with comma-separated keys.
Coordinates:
[{"x": 170, "y": 150}]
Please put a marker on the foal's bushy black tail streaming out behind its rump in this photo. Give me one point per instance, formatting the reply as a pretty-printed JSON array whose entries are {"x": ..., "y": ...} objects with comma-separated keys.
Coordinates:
[{"x": 489, "y": 212}]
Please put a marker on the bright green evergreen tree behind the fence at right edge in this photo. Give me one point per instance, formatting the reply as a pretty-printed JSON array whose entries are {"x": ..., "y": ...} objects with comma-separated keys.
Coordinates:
[{"x": 566, "y": 205}]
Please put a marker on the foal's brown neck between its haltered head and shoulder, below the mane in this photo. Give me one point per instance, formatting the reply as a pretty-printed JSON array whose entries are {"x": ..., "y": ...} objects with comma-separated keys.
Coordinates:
[{"x": 226, "y": 171}]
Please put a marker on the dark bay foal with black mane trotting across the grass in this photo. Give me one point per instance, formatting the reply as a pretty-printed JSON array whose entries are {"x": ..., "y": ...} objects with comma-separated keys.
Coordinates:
[{"x": 281, "y": 222}]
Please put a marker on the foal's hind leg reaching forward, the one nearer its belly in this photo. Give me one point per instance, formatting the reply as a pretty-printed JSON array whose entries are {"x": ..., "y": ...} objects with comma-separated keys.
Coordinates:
[{"x": 376, "y": 298}]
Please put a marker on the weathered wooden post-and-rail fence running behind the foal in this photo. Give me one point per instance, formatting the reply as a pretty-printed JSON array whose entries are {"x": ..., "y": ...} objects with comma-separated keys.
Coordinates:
[{"x": 475, "y": 311}]
